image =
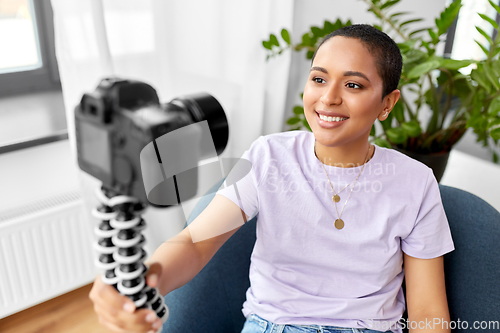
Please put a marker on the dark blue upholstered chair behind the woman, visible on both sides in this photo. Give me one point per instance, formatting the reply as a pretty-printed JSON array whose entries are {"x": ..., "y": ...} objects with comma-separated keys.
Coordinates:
[{"x": 212, "y": 301}]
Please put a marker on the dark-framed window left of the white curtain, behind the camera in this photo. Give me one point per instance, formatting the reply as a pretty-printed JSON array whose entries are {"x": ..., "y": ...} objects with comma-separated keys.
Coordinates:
[{"x": 31, "y": 105}]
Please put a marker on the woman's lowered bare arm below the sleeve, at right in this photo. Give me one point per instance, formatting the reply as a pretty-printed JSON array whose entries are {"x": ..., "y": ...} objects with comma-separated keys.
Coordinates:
[{"x": 426, "y": 294}]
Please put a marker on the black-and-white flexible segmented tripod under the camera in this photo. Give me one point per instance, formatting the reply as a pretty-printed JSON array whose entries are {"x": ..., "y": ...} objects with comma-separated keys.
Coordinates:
[{"x": 121, "y": 256}]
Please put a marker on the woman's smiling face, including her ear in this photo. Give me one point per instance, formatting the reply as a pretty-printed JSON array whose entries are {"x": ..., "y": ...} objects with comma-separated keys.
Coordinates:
[{"x": 343, "y": 94}]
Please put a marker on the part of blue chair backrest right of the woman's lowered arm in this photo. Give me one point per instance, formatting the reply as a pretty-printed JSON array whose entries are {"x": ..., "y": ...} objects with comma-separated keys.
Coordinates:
[{"x": 472, "y": 271}]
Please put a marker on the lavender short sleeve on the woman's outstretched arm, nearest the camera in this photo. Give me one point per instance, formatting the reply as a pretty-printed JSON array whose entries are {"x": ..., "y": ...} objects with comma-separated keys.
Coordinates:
[{"x": 242, "y": 182}]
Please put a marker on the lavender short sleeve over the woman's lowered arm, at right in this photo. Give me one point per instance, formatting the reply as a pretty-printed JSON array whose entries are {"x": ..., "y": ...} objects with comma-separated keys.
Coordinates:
[{"x": 431, "y": 236}]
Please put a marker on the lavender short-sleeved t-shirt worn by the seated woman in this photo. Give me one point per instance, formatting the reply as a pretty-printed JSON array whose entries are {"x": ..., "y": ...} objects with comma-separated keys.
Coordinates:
[{"x": 304, "y": 270}]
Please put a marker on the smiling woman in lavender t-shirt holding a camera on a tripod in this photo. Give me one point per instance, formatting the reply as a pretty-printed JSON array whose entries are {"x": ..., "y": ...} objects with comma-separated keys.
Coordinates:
[{"x": 338, "y": 216}]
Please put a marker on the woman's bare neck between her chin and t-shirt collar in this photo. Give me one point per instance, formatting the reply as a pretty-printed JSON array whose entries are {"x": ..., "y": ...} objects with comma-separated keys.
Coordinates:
[{"x": 344, "y": 156}]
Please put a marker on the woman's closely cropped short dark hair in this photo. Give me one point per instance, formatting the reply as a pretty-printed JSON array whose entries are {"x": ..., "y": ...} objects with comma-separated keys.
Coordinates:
[{"x": 386, "y": 52}]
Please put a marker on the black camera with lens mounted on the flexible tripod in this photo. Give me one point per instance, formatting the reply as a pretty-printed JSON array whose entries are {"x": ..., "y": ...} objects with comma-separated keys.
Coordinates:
[{"x": 119, "y": 127}]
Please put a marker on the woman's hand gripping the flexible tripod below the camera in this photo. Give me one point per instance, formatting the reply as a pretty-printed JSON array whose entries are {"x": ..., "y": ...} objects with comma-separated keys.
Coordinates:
[{"x": 117, "y": 312}]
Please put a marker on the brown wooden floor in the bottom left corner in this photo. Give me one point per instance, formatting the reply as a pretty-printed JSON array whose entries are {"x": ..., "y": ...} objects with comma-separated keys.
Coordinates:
[{"x": 69, "y": 313}]
